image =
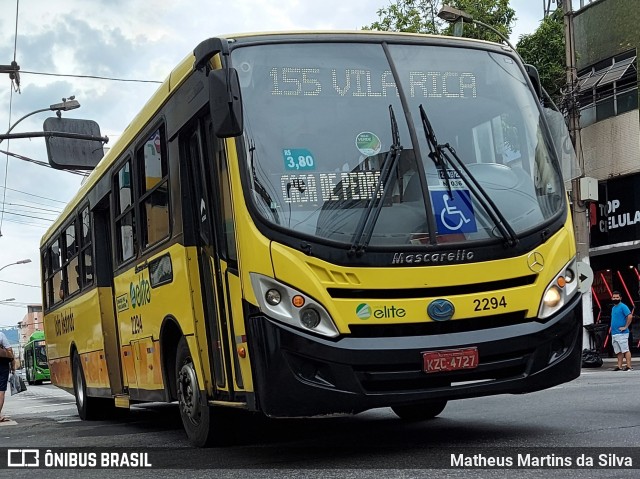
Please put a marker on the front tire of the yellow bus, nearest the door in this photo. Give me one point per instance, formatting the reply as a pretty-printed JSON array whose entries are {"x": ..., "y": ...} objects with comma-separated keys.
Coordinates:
[{"x": 197, "y": 417}]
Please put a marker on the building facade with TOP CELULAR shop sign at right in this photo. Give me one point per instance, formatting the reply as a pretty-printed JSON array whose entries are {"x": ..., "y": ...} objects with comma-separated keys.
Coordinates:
[{"x": 606, "y": 41}]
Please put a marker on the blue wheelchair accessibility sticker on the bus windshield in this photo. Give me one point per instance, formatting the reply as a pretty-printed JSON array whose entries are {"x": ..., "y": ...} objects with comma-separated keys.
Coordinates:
[{"x": 454, "y": 211}]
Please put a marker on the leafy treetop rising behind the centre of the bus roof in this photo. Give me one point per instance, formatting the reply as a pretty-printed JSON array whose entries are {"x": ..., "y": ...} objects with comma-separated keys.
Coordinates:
[{"x": 421, "y": 16}]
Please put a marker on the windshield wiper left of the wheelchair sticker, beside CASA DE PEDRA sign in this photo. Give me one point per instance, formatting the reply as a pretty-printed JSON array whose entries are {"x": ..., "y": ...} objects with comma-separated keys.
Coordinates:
[{"x": 367, "y": 222}]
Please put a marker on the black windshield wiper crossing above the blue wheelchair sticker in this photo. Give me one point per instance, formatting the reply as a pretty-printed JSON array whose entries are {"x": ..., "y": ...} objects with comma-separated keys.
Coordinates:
[{"x": 439, "y": 153}]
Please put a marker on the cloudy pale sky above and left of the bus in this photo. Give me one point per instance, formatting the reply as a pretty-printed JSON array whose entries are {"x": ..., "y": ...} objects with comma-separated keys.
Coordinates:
[{"x": 134, "y": 40}]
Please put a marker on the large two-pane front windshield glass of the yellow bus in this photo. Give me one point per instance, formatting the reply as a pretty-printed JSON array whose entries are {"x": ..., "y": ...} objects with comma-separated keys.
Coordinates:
[{"x": 318, "y": 132}]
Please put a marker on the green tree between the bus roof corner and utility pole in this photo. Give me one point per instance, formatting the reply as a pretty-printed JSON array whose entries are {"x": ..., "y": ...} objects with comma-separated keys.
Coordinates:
[{"x": 545, "y": 49}]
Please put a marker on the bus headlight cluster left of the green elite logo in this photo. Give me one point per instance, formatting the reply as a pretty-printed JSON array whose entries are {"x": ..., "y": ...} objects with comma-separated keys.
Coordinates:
[{"x": 290, "y": 306}]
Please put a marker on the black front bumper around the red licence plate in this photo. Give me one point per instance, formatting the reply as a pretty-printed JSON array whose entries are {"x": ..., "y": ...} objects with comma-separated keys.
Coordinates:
[{"x": 297, "y": 374}]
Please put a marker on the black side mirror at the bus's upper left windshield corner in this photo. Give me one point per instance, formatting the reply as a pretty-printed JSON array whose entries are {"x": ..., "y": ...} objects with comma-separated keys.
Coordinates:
[{"x": 225, "y": 102}]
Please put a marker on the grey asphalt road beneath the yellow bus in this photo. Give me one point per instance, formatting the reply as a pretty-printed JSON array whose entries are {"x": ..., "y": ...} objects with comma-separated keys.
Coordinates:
[{"x": 596, "y": 414}]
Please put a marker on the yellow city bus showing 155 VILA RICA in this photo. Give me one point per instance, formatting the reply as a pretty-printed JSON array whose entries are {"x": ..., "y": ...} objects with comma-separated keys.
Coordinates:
[{"x": 309, "y": 223}]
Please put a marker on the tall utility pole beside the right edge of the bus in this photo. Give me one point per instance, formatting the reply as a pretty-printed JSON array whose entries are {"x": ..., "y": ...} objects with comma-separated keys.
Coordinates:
[{"x": 579, "y": 210}]
